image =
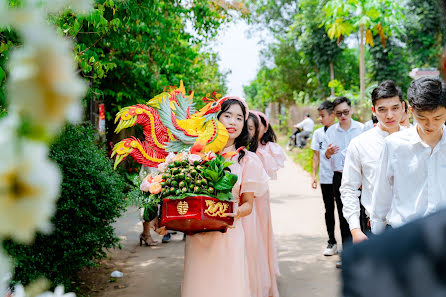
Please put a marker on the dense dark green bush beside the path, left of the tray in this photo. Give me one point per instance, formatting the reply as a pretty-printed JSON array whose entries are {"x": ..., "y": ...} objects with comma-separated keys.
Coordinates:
[{"x": 91, "y": 200}]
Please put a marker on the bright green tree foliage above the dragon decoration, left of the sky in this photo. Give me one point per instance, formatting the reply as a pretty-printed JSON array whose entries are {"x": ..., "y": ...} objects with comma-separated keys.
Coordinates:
[{"x": 130, "y": 51}]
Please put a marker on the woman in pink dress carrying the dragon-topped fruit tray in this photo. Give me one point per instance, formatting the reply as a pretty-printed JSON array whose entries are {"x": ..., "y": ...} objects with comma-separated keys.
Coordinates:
[{"x": 215, "y": 263}]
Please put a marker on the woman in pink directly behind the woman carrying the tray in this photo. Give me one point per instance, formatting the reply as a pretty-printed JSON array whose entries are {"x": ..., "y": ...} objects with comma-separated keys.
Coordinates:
[{"x": 273, "y": 158}]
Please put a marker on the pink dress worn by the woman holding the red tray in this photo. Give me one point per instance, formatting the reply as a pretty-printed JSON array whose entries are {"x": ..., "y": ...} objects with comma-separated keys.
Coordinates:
[{"x": 215, "y": 263}]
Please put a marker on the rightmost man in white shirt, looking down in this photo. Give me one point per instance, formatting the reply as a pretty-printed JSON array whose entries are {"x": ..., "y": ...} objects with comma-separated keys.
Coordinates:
[{"x": 410, "y": 182}]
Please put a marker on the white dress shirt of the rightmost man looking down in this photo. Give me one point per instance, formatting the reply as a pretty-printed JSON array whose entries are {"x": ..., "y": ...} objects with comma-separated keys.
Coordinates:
[{"x": 410, "y": 183}]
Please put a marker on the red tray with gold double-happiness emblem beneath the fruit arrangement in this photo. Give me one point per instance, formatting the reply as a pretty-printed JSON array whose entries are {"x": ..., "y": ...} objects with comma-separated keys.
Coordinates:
[{"x": 196, "y": 214}]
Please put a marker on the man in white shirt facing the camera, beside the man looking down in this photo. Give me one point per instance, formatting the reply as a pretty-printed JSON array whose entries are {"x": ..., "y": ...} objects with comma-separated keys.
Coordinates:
[{"x": 364, "y": 155}]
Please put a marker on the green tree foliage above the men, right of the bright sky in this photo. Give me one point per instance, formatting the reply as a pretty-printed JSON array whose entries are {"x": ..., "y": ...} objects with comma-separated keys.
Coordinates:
[{"x": 401, "y": 36}]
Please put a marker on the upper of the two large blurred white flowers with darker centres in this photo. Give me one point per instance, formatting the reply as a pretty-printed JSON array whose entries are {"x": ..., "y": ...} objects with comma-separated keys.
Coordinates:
[{"x": 43, "y": 84}]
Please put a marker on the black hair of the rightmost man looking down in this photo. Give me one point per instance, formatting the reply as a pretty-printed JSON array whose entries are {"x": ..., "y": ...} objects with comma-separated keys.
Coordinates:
[{"x": 426, "y": 94}]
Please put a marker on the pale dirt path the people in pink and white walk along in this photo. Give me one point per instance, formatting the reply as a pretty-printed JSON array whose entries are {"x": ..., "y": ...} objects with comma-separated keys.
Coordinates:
[{"x": 298, "y": 222}]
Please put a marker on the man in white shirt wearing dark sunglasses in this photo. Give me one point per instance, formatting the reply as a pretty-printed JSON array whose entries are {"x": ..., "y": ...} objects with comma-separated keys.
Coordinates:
[{"x": 339, "y": 136}]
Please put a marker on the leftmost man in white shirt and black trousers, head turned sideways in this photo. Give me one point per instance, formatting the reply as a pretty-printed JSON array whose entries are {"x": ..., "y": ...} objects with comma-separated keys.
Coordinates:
[{"x": 319, "y": 143}]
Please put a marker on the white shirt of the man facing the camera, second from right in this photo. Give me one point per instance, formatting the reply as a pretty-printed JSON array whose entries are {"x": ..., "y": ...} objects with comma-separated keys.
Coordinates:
[{"x": 361, "y": 166}]
